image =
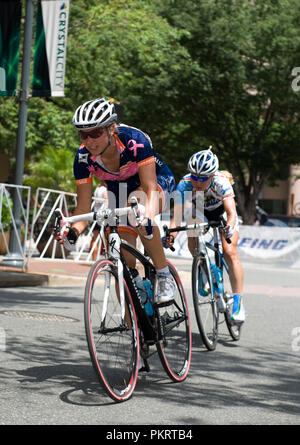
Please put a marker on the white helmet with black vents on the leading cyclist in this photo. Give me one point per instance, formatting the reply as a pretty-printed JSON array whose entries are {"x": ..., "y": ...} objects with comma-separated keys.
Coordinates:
[{"x": 94, "y": 113}]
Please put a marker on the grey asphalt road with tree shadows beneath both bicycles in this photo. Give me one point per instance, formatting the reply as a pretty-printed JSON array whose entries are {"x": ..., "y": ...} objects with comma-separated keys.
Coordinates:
[{"x": 46, "y": 377}]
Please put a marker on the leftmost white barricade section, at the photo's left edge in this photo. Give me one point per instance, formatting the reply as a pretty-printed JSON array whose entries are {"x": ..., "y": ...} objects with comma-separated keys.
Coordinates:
[{"x": 19, "y": 196}]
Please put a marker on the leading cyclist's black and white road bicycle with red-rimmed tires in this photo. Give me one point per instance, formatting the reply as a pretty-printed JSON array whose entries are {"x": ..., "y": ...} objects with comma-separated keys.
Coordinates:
[{"x": 119, "y": 331}]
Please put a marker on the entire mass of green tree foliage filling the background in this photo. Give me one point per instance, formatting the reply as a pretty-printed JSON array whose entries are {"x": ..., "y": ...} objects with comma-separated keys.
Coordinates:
[{"x": 190, "y": 73}]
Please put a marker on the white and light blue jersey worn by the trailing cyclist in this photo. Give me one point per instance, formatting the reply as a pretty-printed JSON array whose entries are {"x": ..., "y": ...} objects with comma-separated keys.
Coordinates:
[{"x": 212, "y": 198}]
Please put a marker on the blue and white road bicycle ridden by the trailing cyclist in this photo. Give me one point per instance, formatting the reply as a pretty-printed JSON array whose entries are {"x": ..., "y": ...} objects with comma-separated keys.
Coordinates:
[{"x": 210, "y": 284}]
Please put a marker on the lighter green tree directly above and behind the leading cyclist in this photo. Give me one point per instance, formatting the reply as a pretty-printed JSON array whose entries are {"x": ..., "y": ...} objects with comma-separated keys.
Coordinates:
[{"x": 129, "y": 52}]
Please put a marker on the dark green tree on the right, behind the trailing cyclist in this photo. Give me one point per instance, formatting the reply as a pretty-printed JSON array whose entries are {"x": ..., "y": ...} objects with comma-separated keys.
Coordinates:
[{"x": 241, "y": 98}]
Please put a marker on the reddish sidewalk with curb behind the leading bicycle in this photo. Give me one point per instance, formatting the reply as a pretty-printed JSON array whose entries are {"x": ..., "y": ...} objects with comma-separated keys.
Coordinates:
[{"x": 45, "y": 272}]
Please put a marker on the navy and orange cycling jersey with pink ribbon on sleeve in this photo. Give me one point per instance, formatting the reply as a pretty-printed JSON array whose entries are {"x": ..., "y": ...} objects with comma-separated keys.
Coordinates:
[{"x": 135, "y": 150}]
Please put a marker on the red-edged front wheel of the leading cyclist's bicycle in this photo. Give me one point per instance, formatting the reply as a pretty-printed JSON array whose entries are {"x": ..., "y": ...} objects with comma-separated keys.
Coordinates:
[{"x": 113, "y": 345}]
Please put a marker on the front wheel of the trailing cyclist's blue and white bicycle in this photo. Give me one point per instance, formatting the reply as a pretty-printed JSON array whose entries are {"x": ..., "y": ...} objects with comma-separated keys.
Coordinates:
[{"x": 206, "y": 310}]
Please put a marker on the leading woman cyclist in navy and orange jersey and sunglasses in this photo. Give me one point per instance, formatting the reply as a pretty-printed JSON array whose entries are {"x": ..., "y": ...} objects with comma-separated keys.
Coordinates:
[{"x": 122, "y": 157}]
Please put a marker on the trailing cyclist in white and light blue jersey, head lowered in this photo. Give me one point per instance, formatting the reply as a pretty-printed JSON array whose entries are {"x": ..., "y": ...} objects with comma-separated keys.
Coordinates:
[{"x": 216, "y": 200}]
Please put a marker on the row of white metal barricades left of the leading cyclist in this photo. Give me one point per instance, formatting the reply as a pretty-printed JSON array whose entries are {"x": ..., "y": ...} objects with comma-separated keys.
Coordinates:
[{"x": 36, "y": 239}]
